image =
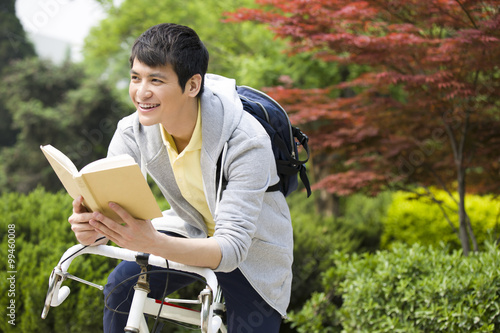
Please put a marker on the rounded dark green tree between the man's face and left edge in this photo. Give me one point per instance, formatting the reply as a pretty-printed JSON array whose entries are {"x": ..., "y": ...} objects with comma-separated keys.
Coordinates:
[{"x": 56, "y": 105}]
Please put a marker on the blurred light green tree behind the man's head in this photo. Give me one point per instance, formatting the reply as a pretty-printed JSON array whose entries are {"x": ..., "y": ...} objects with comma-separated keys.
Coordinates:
[{"x": 245, "y": 51}]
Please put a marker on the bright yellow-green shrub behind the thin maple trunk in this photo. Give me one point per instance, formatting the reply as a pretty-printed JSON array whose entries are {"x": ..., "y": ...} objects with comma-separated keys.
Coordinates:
[{"x": 411, "y": 220}]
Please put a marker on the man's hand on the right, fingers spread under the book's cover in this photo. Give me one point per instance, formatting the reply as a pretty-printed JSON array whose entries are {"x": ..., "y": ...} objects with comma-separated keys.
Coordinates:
[{"x": 129, "y": 233}]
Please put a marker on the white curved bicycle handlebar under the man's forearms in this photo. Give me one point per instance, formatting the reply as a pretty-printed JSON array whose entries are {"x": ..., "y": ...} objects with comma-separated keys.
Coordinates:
[{"x": 57, "y": 294}]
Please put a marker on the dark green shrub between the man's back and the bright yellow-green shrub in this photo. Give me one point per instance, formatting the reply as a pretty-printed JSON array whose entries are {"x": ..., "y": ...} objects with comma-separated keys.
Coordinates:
[{"x": 317, "y": 237}]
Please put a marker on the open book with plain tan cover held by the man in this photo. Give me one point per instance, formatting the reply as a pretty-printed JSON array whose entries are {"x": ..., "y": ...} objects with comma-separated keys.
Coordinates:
[{"x": 118, "y": 179}]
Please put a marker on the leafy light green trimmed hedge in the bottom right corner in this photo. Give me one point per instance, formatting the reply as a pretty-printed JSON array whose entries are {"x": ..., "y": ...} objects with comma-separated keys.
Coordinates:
[{"x": 417, "y": 289}]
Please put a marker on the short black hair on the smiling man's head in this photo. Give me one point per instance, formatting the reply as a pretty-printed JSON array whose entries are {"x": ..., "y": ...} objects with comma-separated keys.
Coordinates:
[{"x": 173, "y": 44}]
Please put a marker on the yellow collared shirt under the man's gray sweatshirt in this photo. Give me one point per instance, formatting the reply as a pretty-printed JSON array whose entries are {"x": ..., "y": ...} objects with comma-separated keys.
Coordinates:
[{"x": 187, "y": 171}]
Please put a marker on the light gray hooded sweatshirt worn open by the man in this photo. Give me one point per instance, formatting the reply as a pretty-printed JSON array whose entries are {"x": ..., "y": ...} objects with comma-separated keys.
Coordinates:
[{"x": 252, "y": 227}]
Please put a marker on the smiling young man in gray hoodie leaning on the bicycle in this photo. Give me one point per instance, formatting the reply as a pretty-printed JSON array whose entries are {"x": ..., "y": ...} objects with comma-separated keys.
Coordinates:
[{"x": 184, "y": 121}]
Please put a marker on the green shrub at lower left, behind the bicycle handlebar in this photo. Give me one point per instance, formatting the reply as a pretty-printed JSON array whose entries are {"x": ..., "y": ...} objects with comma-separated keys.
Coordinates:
[{"x": 43, "y": 233}]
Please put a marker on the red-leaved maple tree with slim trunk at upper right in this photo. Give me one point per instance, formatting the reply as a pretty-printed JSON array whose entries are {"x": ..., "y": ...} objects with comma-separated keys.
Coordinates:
[{"x": 425, "y": 110}]
